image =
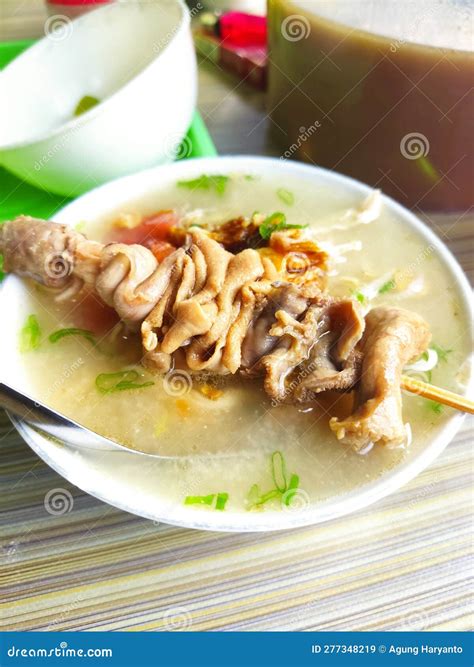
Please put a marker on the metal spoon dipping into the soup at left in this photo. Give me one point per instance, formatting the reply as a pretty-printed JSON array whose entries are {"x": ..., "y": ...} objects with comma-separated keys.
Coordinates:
[{"x": 50, "y": 422}]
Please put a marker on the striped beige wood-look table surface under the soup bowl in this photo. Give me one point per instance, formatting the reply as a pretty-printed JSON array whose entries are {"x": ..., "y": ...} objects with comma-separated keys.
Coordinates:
[{"x": 403, "y": 564}]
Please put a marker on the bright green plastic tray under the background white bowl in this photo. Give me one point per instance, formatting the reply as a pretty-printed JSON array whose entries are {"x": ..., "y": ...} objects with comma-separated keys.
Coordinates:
[{"x": 18, "y": 197}]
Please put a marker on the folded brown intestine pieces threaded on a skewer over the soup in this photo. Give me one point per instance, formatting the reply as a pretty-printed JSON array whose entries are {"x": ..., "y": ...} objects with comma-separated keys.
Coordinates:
[{"x": 214, "y": 311}]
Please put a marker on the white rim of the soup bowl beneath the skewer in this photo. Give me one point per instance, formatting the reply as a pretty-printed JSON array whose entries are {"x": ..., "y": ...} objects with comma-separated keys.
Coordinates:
[{"x": 130, "y": 482}]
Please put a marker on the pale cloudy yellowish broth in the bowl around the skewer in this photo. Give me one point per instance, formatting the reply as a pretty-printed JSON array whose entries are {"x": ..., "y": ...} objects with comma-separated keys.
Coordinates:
[{"x": 227, "y": 429}]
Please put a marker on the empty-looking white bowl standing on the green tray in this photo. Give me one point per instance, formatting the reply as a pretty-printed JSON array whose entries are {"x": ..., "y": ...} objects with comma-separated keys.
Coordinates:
[{"x": 137, "y": 58}]
